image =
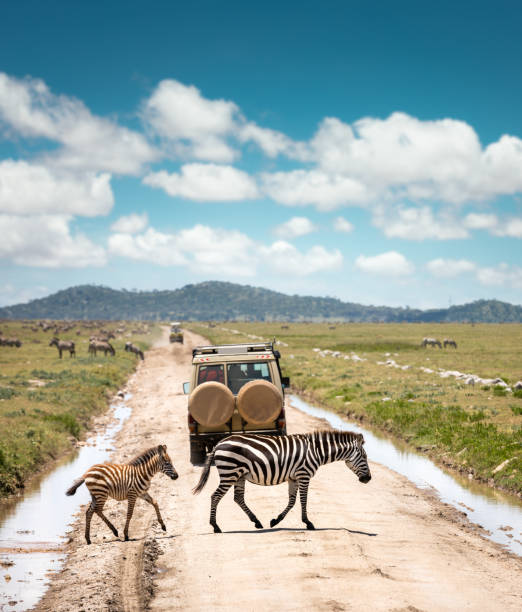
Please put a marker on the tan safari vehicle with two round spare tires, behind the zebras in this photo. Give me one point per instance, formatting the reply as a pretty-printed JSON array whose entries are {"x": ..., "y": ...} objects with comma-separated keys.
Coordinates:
[{"x": 234, "y": 388}]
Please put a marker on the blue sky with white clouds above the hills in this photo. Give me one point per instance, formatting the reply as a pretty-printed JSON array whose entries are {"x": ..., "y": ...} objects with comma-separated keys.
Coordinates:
[{"x": 367, "y": 151}]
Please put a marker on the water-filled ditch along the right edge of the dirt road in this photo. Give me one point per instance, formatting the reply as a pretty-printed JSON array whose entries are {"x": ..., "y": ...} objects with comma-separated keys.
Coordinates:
[{"x": 500, "y": 514}]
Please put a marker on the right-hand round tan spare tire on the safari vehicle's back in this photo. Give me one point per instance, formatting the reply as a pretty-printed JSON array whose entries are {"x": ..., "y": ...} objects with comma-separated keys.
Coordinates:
[{"x": 259, "y": 402}]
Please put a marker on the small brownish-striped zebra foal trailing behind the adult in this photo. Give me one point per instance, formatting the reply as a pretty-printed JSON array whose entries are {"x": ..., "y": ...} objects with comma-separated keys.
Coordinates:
[{"x": 127, "y": 481}]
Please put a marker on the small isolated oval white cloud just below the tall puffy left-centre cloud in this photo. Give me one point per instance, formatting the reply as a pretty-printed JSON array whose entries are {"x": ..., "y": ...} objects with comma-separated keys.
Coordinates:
[{"x": 205, "y": 183}]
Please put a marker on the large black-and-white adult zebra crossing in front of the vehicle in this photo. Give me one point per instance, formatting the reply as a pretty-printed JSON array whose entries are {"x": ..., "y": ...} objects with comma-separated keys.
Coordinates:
[{"x": 270, "y": 460}]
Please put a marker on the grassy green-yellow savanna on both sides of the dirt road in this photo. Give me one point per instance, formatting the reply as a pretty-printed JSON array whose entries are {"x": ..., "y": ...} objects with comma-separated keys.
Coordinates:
[{"x": 47, "y": 403}]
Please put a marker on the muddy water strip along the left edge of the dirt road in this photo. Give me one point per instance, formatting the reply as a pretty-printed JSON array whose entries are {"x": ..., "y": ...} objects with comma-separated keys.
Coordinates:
[{"x": 32, "y": 530}]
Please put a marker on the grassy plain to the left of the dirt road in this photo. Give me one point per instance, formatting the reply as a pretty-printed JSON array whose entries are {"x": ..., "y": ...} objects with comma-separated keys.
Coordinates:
[{"x": 46, "y": 403}]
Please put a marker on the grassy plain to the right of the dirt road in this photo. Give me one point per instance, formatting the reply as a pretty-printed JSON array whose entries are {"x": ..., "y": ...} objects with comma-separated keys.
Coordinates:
[{"x": 474, "y": 429}]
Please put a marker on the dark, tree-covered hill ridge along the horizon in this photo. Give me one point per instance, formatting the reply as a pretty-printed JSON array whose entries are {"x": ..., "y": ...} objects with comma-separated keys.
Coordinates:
[{"x": 221, "y": 301}]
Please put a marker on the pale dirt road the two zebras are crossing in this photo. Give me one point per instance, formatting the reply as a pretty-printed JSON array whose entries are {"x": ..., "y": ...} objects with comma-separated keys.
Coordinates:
[{"x": 382, "y": 546}]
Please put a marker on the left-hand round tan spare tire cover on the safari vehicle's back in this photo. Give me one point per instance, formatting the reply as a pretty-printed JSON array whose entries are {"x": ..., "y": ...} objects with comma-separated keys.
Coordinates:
[{"x": 211, "y": 404}]
